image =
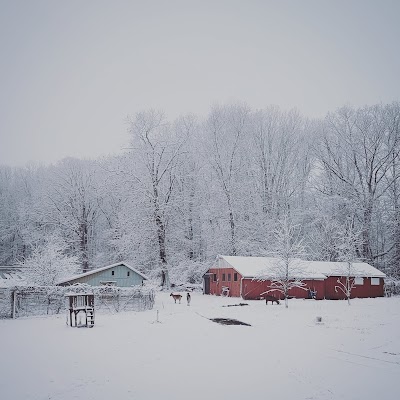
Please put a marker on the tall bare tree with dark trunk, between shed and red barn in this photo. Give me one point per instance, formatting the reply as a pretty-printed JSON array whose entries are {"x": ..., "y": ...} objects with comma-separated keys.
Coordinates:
[{"x": 156, "y": 152}]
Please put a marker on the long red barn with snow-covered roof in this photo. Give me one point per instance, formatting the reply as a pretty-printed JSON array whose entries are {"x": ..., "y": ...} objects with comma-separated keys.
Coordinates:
[{"x": 236, "y": 277}]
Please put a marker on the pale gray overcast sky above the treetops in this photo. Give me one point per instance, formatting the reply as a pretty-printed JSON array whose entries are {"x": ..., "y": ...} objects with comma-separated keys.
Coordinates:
[{"x": 71, "y": 71}]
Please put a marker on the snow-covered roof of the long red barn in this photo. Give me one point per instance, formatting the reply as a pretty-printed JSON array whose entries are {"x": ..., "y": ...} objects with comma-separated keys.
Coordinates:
[{"x": 250, "y": 267}]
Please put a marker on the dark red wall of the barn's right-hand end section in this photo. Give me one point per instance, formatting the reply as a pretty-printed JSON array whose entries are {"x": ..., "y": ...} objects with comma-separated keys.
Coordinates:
[{"x": 360, "y": 291}]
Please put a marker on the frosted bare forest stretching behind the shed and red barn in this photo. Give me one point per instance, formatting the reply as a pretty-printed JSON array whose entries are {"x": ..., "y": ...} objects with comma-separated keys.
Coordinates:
[{"x": 189, "y": 189}]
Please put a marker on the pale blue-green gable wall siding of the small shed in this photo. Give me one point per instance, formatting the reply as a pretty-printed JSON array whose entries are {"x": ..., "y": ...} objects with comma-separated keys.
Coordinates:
[{"x": 120, "y": 277}]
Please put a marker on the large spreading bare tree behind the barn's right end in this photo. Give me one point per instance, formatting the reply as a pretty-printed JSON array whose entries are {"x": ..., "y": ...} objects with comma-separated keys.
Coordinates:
[{"x": 356, "y": 152}]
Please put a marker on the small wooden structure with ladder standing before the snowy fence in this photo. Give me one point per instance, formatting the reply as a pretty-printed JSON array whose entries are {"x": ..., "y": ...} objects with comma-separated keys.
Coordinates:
[{"x": 80, "y": 309}]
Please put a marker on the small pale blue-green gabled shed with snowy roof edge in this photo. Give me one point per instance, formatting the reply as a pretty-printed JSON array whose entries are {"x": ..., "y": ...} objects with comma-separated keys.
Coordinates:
[{"x": 119, "y": 274}]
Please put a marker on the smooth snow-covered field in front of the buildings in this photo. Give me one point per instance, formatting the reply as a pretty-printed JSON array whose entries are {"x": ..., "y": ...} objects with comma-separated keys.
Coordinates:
[{"x": 353, "y": 354}]
